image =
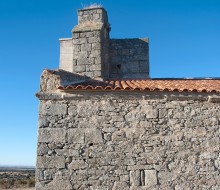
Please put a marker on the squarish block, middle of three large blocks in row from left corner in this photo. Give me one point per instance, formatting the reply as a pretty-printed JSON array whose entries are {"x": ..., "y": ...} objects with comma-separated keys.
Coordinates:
[{"x": 76, "y": 135}]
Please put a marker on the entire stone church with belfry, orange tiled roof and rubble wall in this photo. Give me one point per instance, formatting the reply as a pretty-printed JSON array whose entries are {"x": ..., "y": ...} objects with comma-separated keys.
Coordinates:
[{"x": 104, "y": 124}]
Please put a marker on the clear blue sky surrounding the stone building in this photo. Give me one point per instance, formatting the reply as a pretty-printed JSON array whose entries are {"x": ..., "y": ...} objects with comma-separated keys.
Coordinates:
[{"x": 184, "y": 42}]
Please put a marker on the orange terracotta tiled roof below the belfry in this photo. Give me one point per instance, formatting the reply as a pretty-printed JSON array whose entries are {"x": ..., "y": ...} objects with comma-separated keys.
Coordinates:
[{"x": 178, "y": 85}]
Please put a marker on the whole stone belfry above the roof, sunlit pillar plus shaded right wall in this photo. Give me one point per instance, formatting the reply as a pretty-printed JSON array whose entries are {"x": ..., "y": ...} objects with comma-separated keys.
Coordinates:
[{"x": 92, "y": 53}]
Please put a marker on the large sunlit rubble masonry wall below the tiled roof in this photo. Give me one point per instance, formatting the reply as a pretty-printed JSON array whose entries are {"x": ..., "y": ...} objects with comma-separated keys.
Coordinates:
[{"x": 129, "y": 141}]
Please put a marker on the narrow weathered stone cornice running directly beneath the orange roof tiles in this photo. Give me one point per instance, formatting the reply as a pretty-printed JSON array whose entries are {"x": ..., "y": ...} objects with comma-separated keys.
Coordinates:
[{"x": 166, "y": 96}]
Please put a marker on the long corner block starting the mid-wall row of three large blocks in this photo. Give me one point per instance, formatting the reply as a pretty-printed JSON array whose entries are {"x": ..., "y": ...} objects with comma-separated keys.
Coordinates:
[{"x": 57, "y": 135}]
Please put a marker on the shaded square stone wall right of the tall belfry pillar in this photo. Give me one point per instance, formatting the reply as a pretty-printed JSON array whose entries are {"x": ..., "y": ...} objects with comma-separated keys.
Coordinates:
[{"x": 129, "y": 58}]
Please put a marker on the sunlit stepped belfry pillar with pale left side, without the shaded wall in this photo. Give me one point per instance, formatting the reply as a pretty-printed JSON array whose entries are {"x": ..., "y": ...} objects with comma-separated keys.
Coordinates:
[{"x": 86, "y": 53}]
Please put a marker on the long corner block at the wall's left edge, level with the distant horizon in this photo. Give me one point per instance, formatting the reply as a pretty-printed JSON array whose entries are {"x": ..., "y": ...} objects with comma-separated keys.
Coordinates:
[{"x": 57, "y": 162}]
